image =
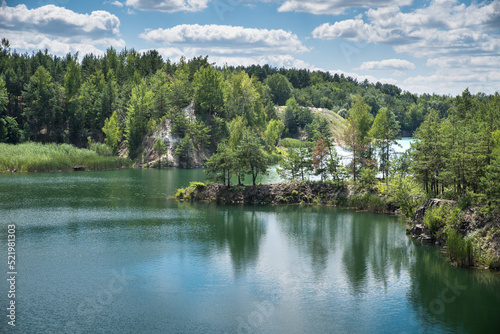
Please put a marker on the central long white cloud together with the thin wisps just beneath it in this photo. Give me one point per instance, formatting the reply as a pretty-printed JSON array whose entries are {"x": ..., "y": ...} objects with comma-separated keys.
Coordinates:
[{"x": 229, "y": 45}]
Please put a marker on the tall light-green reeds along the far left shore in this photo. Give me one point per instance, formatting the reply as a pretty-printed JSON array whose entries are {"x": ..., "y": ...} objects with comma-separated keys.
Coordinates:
[{"x": 37, "y": 157}]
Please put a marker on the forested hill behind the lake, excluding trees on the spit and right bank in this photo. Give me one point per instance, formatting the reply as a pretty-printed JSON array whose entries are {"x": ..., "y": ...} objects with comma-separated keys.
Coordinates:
[{"x": 125, "y": 95}]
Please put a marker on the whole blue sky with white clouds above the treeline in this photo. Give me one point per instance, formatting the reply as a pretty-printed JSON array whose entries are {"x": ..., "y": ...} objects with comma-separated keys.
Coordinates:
[{"x": 432, "y": 46}]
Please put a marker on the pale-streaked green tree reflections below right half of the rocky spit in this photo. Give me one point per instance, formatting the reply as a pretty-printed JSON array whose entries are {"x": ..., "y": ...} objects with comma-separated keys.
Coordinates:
[{"x": 371, "y": 249}]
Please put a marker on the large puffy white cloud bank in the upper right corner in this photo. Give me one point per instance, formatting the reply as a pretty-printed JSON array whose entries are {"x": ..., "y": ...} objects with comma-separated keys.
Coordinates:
[{"x": 444, "y": 27}]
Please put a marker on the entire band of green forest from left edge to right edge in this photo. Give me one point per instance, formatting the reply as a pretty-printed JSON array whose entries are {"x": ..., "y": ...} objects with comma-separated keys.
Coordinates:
[{"x": 122, "y": 96}]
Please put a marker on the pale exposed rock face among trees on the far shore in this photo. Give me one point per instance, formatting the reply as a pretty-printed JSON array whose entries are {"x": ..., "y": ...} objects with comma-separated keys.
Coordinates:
[{"x": 197, "y": 157}]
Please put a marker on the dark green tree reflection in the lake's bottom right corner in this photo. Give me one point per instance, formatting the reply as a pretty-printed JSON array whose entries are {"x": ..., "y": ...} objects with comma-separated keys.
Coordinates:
[{"x": 461, "y": 300}]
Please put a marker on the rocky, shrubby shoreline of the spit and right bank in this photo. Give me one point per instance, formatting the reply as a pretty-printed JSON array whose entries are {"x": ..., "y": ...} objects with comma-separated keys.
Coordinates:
[{"x": 477, "y": 236}]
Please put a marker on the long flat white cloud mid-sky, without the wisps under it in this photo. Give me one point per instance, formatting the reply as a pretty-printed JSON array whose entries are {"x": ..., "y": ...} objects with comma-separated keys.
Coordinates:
[{"x": 227, "y": 40}]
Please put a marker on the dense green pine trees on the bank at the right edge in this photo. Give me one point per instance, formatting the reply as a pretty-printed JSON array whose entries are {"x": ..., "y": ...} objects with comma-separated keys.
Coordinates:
[{"x": 456, "y": 155}]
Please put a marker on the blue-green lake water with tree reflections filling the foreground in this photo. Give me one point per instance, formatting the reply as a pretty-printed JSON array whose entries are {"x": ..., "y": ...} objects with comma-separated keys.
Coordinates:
[{"x": 107, "y": 252}]
